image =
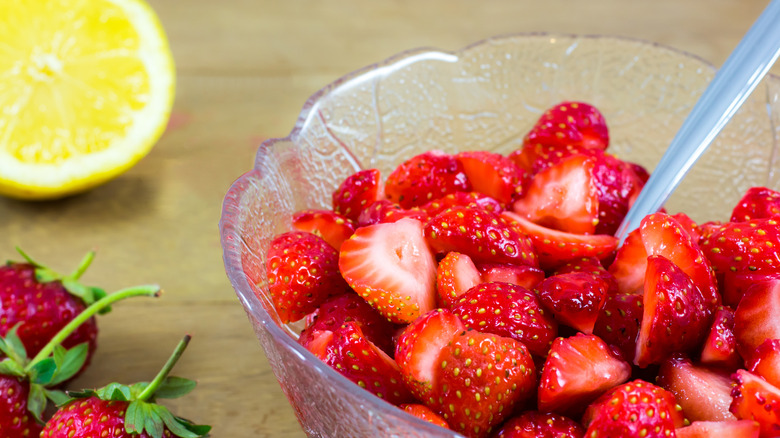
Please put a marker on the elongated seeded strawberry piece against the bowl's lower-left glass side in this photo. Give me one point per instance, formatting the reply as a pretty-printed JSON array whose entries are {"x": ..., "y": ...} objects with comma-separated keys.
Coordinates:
[{"x": 356, "y": 358}]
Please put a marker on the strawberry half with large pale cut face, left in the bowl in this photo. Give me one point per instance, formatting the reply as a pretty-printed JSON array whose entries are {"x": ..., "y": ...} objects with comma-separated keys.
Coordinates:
[{"x": 391, "y": 267}]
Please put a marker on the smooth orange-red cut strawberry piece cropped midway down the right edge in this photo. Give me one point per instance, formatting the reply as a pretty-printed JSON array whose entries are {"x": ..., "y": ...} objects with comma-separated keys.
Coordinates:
[{"x": 757, "y": 317}]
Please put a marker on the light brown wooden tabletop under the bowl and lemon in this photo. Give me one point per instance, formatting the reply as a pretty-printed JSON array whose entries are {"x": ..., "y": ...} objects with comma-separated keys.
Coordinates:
[{"x": 245, "y": 67}]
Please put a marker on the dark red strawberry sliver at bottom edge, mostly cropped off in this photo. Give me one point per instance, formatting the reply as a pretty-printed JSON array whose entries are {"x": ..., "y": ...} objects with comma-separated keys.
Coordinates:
[{"x": 533, "y": 424}]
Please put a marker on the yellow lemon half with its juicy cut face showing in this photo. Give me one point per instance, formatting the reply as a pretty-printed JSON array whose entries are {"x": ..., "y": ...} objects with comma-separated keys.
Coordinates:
[{"x": 86, "y": 89}]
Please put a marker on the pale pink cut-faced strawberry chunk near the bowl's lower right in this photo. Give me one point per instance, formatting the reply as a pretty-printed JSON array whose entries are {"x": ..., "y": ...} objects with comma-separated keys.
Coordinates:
[{"x": 703, "y": 393}]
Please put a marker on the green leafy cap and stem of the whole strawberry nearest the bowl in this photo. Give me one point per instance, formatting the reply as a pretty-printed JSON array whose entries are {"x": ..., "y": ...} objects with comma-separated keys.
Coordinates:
[{"x": 143, "y": 415}]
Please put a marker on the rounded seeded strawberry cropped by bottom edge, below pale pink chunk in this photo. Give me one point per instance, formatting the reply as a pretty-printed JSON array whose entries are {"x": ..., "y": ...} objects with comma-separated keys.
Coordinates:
[{"x": 634, "y": 409}]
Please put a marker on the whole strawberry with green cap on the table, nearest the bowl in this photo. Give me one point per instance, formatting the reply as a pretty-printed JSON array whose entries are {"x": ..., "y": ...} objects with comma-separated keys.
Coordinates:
[{"x": 126, "y": 411}]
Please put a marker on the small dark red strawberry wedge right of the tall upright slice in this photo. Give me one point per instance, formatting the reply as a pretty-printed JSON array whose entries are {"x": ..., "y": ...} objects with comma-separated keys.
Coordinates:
[{"x": 720, "y": 347}]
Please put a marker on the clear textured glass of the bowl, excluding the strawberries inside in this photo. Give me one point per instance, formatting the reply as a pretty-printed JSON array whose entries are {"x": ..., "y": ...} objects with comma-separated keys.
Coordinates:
[{"x": 484, "y": 96}]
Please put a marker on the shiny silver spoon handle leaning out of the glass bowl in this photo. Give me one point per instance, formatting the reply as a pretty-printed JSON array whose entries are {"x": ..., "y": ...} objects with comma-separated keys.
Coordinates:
[{"x": 732, "y": 84}]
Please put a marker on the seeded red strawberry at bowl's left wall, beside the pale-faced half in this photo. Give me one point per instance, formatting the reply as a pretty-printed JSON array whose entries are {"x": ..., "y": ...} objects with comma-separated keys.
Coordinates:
[{"x": 302, "y": 272}]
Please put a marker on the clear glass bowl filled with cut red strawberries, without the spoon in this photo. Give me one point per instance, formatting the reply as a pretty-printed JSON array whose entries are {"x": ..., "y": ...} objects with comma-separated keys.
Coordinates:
[{"x": 432, "y": 252}]
